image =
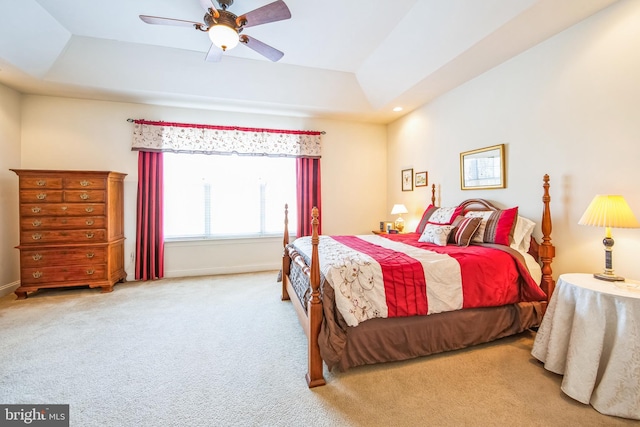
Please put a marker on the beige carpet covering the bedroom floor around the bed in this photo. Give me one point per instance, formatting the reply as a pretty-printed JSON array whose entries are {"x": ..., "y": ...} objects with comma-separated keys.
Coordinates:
[{"x": 225, "y": 351}]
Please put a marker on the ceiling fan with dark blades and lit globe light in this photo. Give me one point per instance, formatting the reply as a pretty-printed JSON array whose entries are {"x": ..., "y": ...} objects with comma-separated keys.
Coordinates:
[{"x": 224, "y": 27}]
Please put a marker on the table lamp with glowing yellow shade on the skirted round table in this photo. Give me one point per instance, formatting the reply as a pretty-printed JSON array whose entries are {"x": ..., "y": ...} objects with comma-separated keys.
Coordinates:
[{"x": 609, "y": 211}]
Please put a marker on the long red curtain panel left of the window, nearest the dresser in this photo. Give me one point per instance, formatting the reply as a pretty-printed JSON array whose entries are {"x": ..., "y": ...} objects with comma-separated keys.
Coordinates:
[{"x": 149, "y": 220}]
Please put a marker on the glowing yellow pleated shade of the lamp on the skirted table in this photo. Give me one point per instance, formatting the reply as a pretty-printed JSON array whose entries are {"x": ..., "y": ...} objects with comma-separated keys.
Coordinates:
[{"x": 609, "y": 211}]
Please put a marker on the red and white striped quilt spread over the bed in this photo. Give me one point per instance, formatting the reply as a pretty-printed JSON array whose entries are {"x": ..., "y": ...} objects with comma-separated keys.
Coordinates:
[{"x": 393, "y": 276}]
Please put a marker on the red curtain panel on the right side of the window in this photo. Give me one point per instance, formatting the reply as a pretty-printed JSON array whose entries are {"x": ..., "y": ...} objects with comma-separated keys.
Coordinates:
[{"x": 308, "y": 193}]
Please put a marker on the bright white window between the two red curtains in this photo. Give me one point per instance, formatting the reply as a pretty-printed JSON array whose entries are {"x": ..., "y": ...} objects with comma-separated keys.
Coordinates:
[{"x": 209, "y": 196}]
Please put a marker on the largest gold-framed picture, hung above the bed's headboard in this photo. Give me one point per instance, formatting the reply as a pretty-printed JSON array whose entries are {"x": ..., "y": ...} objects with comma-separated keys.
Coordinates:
[{"x": 483, "y": 168}]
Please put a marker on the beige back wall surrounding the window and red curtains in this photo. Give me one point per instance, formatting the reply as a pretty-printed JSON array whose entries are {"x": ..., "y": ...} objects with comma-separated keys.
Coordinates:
[{"x": 61, "y": 133}]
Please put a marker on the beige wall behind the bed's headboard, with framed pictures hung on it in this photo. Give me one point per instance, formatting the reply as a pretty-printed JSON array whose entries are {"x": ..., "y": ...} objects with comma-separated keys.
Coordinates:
[{"x": 569, "y": 107}]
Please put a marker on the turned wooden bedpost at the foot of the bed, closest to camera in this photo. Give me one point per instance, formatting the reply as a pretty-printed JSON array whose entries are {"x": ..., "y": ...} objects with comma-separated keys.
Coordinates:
[{"x": 314, "y": 309}]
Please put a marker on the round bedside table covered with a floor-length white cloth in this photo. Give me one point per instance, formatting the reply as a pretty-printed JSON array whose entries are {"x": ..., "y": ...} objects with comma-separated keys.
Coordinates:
[{"x": 591, "y": 335}]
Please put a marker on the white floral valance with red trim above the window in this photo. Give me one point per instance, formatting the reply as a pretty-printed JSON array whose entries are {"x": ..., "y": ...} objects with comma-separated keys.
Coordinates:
[{"x": 208, "y": 139}]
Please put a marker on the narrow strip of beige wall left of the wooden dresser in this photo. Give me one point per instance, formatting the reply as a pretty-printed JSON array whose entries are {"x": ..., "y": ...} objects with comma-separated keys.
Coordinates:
[{"x": 10, "y": 158}]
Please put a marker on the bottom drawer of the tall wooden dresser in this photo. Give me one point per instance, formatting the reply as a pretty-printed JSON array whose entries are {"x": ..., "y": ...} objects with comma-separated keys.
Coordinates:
[{"x": 72, "y": 273}]
